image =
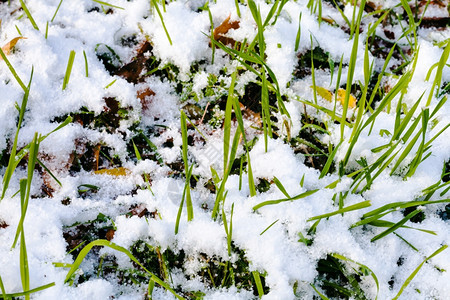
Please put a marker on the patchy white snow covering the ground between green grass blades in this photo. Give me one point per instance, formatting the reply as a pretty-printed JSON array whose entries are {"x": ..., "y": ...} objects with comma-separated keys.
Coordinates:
[{"x": 277, "y": 254}]
